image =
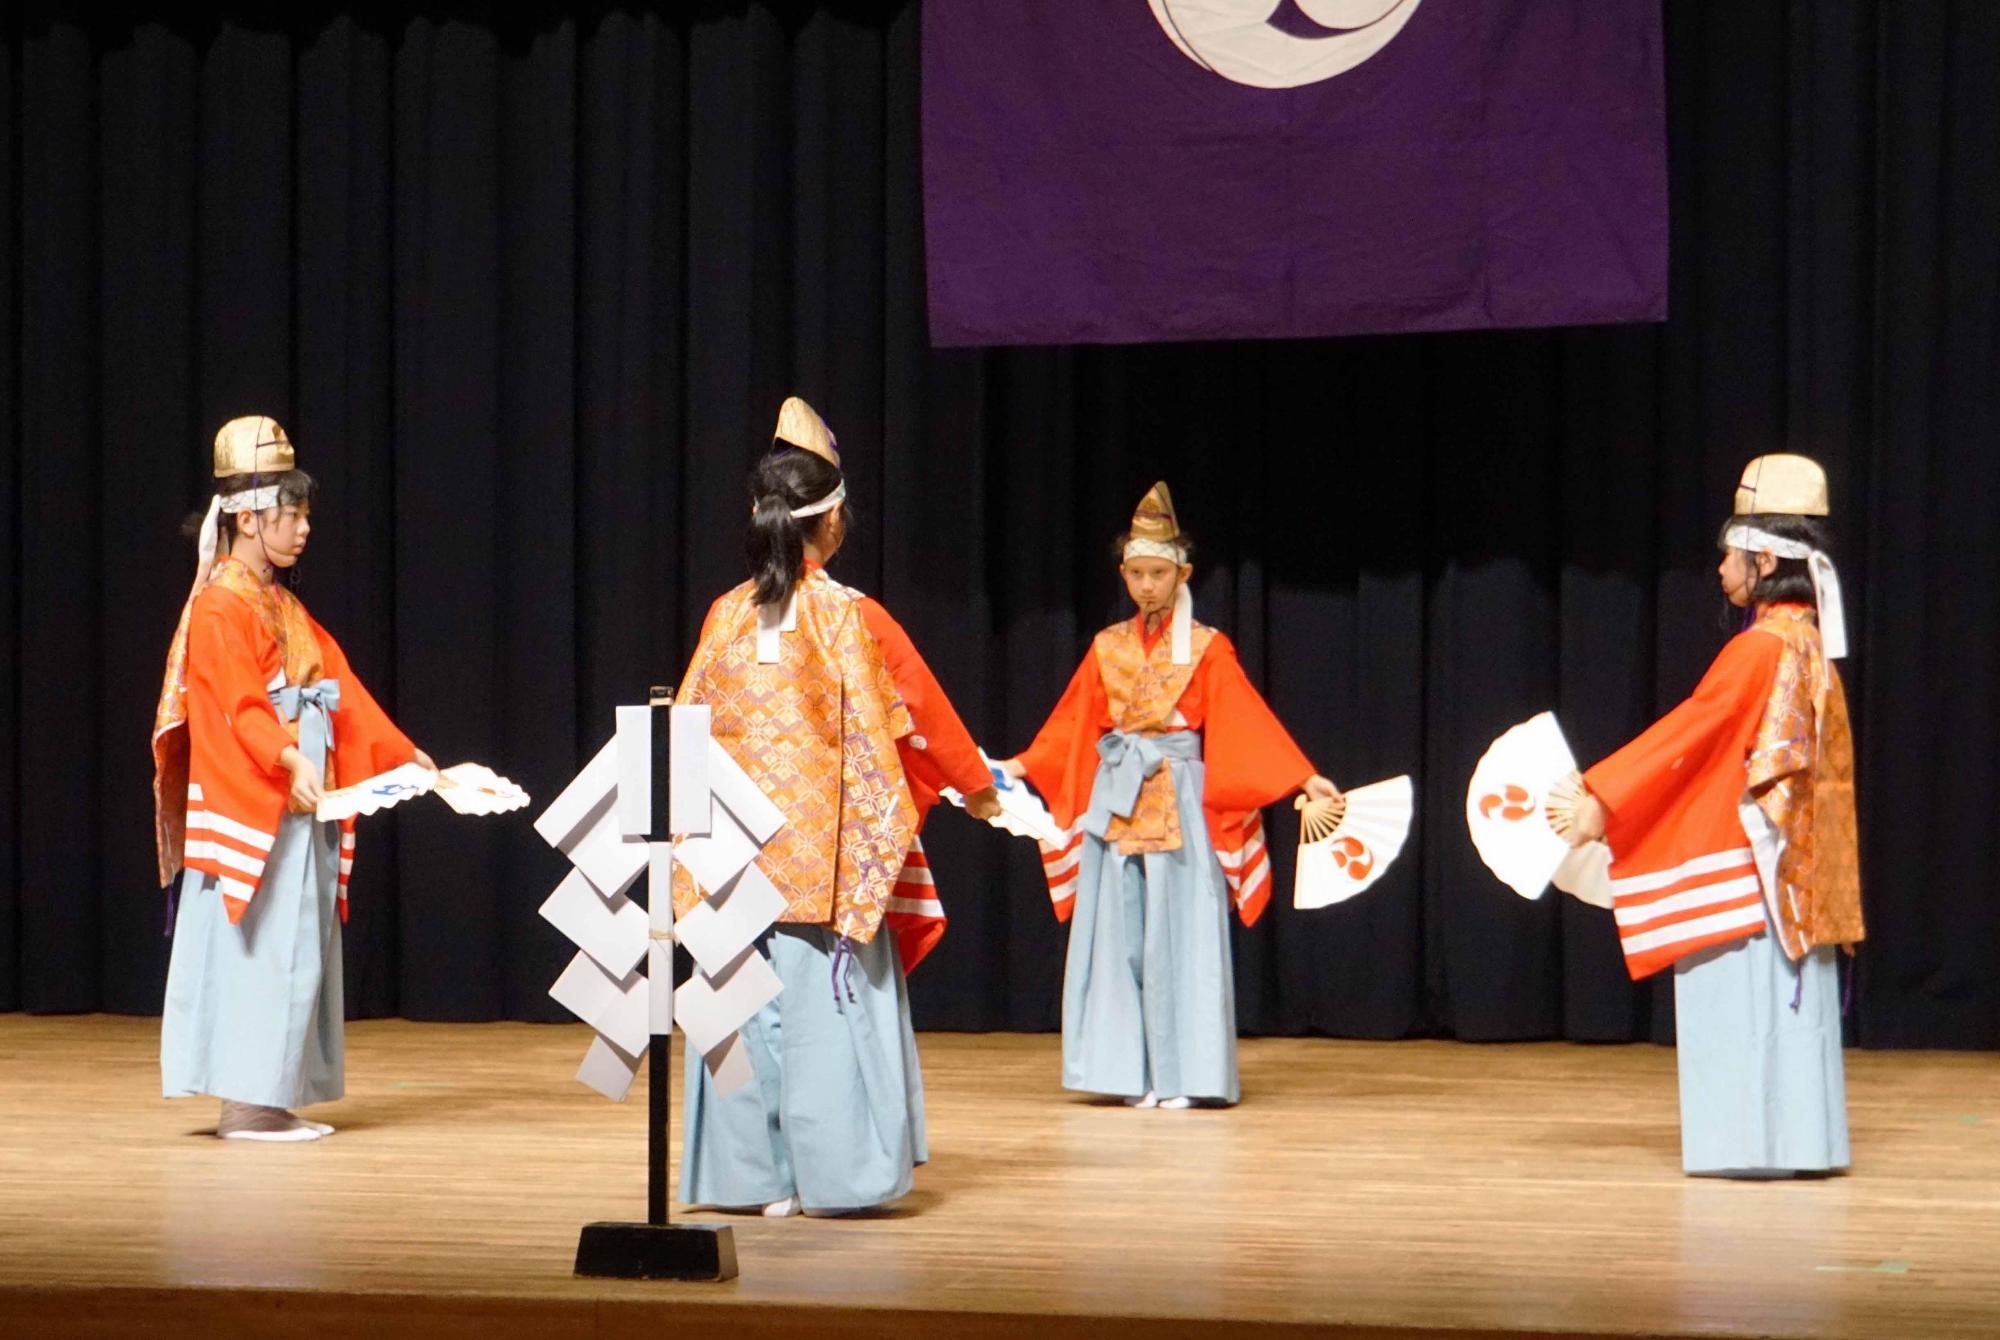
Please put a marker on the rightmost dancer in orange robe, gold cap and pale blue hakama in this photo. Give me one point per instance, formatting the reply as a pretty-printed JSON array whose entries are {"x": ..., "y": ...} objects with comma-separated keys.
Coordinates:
[{"x": 1733, "y": 843}]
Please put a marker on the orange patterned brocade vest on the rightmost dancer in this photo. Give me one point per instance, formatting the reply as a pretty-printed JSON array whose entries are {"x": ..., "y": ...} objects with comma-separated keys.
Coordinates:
[{"x": 1803, "y": 777}]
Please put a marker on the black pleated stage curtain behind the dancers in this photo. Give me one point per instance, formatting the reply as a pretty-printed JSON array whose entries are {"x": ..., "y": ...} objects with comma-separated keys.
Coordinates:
[{"x": 529, "y": 291}]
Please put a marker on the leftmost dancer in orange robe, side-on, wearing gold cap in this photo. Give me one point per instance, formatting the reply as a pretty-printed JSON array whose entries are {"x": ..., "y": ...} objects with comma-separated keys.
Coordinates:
[{"x": 257, "y": 715}]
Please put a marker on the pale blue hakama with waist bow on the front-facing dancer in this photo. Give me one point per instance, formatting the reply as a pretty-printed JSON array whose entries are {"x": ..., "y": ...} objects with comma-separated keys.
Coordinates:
[{"x": 1149, "y": 995}]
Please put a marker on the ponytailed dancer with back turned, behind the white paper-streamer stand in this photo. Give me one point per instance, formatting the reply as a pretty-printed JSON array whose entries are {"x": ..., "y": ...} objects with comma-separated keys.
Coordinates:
[{"x": 819, "y": 695}]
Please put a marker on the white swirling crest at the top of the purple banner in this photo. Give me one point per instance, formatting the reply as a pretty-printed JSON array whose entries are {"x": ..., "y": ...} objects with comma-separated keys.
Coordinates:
[{"x": 1245, "y": 43}]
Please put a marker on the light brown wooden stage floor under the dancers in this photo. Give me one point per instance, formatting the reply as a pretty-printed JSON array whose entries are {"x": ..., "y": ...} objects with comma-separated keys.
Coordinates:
[{"x": 1413, "y": 1189}]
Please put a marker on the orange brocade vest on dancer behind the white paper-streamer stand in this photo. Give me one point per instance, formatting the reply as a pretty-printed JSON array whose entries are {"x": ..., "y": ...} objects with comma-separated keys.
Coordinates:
[{"x": 817, "y": 733}]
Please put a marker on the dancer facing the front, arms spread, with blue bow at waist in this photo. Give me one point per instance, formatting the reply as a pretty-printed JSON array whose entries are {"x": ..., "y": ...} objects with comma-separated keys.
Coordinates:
[{"x": 1159, "y": 759}]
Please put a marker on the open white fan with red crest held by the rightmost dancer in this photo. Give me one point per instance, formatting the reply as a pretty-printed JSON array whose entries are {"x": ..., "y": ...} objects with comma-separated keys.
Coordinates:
[{"x": 1525, "y": 777}]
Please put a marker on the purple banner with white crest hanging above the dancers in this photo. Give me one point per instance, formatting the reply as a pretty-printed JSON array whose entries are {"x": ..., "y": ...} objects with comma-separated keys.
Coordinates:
[{"x": 1121, "y": 171}]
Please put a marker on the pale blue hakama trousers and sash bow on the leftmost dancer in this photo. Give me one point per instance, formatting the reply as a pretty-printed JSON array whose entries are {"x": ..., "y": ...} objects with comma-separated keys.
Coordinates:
[{"x": 255, "y": 1011}]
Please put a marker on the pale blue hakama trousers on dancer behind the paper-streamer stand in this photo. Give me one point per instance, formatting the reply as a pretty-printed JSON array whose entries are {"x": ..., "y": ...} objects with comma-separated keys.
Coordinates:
[{"x": 837, "y": 1109}]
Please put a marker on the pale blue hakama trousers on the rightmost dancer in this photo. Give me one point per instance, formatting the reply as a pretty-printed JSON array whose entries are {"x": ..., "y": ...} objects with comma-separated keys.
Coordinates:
[{"x": 1761, "y": 1083}]
